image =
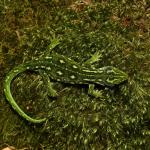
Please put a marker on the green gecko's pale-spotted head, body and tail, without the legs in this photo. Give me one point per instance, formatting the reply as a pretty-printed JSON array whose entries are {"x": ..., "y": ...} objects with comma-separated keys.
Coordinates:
[{"x": 63, "y": 69}]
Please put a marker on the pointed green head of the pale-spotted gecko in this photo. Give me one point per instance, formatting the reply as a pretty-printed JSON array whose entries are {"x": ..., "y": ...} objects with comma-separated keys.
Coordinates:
[{"x": 114, "y": 76}]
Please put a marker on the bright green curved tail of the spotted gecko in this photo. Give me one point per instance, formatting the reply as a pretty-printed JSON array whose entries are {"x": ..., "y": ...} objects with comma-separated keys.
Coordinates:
[{"x": 10, "y": 76}]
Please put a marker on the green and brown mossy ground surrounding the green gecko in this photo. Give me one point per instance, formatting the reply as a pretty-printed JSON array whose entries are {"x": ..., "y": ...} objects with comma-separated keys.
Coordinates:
[{"x": 120, "y": 118}]
